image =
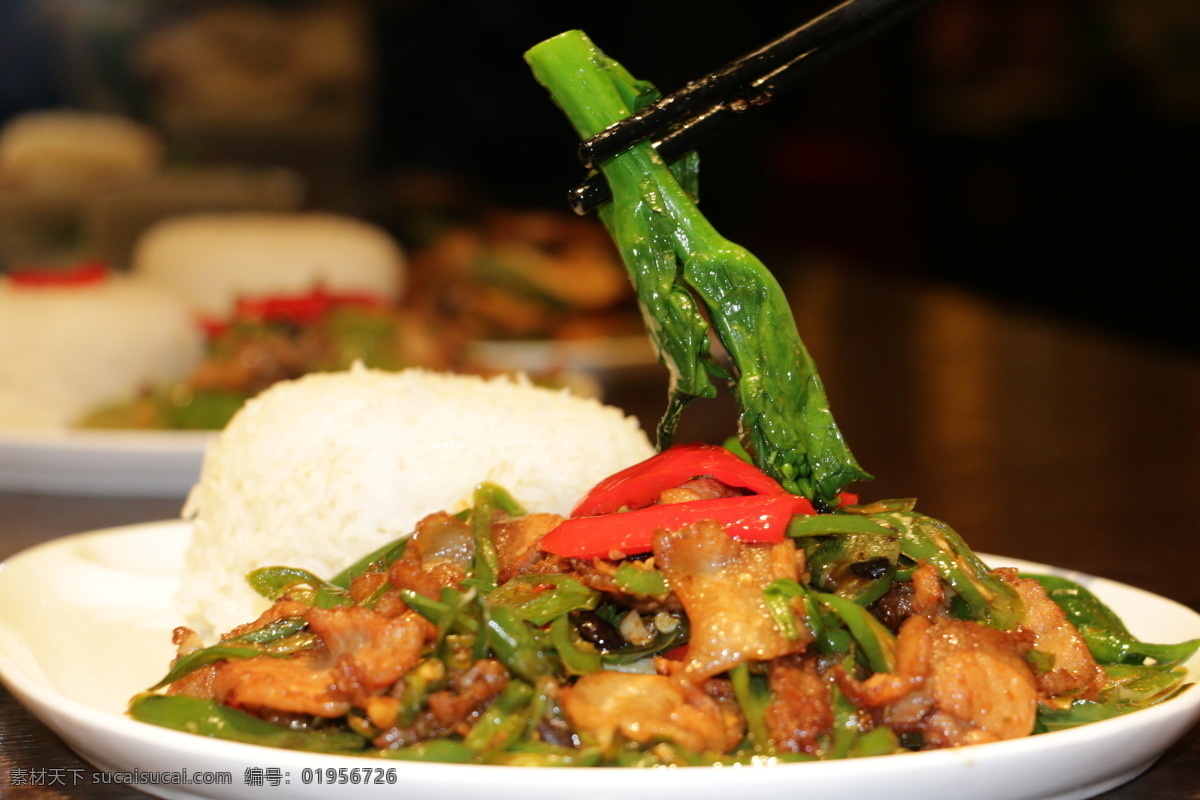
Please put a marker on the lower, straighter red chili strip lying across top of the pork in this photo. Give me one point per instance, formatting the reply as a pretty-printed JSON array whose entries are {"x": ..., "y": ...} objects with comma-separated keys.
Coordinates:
[{"x": 751, "y": 519}]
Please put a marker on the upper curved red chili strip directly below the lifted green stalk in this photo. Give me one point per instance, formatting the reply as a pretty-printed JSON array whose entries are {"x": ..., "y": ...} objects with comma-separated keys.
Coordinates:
[{"x": 641, "y": 485}]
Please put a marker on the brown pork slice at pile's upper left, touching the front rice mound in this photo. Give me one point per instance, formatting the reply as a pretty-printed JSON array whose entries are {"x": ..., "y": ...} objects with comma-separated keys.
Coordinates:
[{"x": 439, "y": 555}]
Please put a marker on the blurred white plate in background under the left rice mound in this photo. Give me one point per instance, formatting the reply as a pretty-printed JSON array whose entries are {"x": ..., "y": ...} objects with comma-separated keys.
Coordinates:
[{"x": 113, "y": 464}]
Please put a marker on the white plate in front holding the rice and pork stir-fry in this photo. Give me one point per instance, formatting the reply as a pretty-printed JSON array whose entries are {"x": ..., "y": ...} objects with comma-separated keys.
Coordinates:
[{"x": 86, "y": 623}]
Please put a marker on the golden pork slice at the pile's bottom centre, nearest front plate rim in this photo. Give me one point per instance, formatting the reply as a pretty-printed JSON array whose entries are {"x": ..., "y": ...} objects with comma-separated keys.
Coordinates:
[{"x": 647, "y": 708}]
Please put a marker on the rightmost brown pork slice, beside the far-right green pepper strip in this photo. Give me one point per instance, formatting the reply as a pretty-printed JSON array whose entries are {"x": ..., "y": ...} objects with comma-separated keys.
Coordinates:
[{"x": 1075, "y": 670}]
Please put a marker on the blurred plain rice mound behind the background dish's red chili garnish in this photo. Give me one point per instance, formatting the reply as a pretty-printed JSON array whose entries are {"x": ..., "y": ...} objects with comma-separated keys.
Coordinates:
[{"x": 213, "y": 260}]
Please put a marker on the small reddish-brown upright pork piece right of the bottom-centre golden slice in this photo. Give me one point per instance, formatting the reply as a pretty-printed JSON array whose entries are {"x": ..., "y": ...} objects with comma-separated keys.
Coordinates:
[{"x": 801, "y": 712}]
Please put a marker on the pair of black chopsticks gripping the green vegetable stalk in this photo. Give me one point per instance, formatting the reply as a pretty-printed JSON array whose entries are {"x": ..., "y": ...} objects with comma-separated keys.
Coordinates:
[{"x": 709, "y": 105}]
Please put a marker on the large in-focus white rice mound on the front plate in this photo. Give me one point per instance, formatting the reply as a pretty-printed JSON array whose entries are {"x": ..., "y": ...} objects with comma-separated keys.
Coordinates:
[{"x": 319, "y": 472}]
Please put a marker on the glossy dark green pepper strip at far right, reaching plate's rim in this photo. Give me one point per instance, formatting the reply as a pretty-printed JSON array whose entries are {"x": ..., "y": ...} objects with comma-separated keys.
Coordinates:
[{"x": 1106, "y": 635}]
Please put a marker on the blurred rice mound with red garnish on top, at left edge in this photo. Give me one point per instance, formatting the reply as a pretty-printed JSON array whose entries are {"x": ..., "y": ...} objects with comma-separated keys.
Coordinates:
[{"x": 67, "y": 351}]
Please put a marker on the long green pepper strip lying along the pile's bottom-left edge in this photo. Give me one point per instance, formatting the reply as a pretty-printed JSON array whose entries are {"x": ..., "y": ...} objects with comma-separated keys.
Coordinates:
[{"x": 209, "y": 719}]
